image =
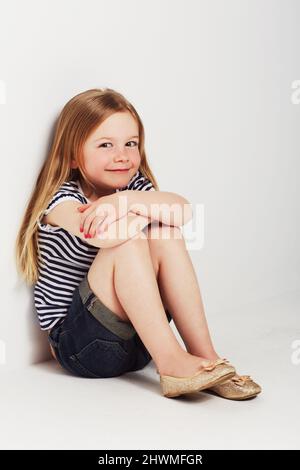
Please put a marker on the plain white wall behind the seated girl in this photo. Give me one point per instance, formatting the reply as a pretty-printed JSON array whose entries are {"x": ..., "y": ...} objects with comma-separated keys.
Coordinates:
[{"x": 212, "y": 83}]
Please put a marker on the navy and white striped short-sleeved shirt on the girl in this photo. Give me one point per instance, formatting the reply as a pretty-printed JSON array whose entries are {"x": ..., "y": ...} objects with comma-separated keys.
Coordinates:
[{"x": 66, "y": 258}]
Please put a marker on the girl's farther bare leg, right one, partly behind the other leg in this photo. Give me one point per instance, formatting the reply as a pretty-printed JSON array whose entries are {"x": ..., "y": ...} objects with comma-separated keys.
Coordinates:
[{"x": 179, "y": 289}]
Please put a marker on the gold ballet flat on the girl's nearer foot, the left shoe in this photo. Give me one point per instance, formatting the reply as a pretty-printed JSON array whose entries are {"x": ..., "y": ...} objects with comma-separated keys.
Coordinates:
[{"x": 213, "y": 374}]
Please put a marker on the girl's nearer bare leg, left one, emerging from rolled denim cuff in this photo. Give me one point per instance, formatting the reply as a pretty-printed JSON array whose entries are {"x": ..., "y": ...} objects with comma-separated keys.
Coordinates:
[{"x": 136, "y": 291}]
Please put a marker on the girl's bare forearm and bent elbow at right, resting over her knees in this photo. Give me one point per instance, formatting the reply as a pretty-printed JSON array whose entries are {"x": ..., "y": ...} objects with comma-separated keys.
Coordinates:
[{"x": 166, "y": 207}]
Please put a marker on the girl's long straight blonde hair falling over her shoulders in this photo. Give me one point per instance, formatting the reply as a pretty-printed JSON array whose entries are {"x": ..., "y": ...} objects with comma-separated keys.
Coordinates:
[{"x": 79, "y": 117}]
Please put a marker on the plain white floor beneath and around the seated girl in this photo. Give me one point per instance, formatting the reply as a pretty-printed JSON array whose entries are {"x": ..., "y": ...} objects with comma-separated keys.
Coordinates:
[{"x": 43, "y": 407}]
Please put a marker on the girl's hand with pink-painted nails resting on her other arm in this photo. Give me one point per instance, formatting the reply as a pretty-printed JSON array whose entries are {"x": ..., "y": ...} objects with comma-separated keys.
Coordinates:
[{"x": 98, "y": 215}]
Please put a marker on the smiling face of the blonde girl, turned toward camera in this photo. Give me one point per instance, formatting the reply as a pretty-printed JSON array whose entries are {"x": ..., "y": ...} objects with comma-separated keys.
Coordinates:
[{"x": 112, "y": 146}]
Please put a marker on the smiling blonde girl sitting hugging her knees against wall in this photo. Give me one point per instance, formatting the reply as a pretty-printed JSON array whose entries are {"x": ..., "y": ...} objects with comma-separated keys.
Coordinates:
[{"x": 105, "y": 258}]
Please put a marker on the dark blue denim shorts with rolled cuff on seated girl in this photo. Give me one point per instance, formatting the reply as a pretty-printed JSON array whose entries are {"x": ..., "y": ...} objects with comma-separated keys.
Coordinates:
[{"x": 94, "y": 342}]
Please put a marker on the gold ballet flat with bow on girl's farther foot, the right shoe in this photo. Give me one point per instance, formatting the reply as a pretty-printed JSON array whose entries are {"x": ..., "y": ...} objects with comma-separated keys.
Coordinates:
[{"x": 238, "y": 387}]
